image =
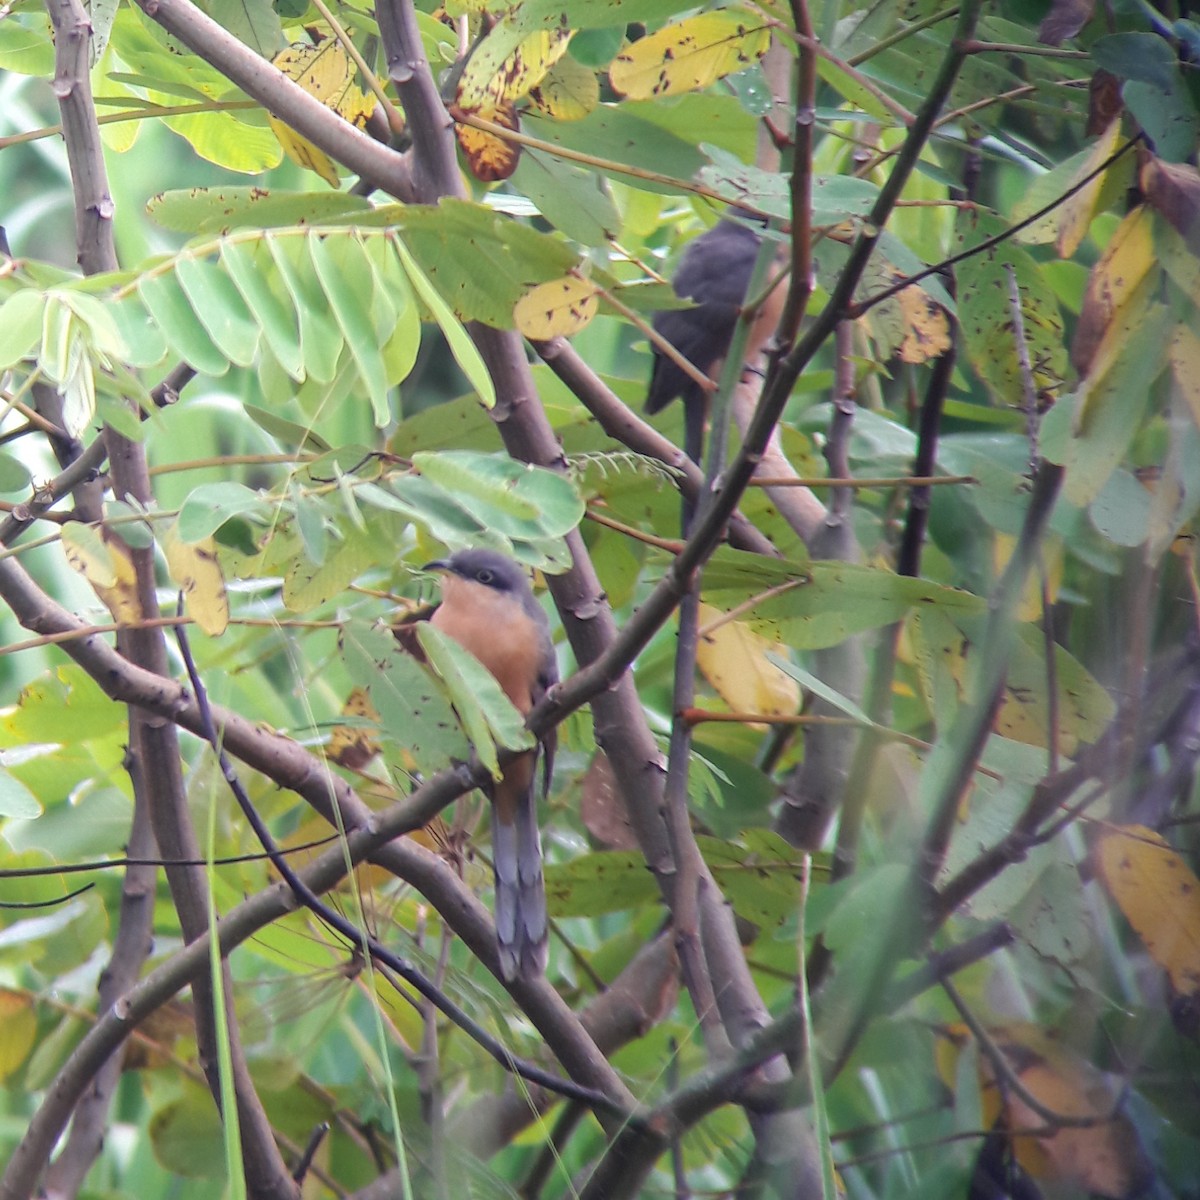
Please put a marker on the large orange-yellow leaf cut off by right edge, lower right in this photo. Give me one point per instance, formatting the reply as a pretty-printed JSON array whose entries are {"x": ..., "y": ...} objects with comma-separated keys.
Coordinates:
[{"x": 1160, "y": 897}]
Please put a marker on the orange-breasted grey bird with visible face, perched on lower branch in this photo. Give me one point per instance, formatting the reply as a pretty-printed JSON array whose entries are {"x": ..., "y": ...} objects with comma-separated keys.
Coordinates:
[{"x": 489, "y": 609}]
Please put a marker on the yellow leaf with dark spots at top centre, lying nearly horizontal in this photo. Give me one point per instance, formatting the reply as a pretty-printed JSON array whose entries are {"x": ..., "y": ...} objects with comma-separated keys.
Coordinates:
[{"x": 691, "y": 55}]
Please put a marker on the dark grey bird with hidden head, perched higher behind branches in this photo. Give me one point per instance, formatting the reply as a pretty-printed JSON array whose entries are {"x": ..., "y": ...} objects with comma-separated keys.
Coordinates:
[{"x": 716, "y": 273}]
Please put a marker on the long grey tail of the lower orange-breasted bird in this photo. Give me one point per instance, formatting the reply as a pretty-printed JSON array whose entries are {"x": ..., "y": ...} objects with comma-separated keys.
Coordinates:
[{"x": 521, "y": 926}]
